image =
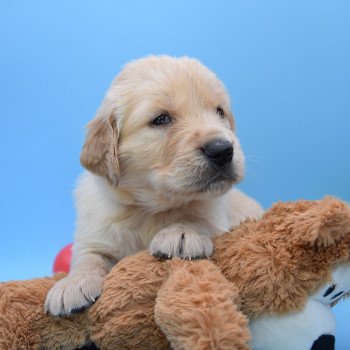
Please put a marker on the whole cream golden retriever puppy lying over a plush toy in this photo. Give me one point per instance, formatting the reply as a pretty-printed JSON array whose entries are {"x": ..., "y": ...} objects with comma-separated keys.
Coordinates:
[{"x": 161, "y": 157}]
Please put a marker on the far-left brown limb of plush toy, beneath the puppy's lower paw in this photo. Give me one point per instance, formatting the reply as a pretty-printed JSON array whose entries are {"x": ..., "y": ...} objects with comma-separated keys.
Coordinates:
[{"x": 24, "y": 325}]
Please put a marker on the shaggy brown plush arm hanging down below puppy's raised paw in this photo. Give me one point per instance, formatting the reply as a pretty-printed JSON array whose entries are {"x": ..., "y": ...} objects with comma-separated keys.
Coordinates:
[{"x": 196, "y": 308}]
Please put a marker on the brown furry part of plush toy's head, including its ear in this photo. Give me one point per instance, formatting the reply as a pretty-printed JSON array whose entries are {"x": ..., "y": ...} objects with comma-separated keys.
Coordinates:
[{"x": 281, "y": 259}]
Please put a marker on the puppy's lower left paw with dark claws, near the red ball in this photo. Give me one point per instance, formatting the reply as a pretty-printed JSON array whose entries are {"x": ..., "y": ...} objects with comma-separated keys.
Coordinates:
[{"x": 73, "y": 294}]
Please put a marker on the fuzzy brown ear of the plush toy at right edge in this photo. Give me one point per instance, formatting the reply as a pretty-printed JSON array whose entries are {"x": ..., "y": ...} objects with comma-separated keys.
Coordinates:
[{"x": 322, "y": 224}]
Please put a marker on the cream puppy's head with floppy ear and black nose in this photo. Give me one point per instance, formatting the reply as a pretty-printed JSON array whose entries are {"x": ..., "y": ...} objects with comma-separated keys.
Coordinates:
[{"x": 165, "y": 126}]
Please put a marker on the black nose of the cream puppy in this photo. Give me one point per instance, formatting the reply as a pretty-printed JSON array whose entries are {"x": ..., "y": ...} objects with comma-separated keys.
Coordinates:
[{"x": 218, "y": 151}]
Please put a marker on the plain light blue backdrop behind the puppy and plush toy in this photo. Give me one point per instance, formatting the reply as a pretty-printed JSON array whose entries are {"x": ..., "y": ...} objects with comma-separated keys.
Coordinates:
[{"x": 285, "y": 64}]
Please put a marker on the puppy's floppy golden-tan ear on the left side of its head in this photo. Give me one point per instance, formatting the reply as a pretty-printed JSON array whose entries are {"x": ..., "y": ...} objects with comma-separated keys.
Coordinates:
[{"x": 99, "y": 154}]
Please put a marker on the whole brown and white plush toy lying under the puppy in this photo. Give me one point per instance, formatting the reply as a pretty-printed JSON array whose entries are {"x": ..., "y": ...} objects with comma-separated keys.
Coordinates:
[{"x": 290, "y": 264}]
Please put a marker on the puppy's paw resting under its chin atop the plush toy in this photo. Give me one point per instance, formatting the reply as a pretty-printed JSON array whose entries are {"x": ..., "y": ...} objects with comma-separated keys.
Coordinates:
[{"x": 181, "y": 241}]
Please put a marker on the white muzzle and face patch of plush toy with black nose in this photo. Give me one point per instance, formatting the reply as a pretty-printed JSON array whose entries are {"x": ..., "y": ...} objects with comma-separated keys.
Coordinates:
[{"x": 312, "y": 328}]
